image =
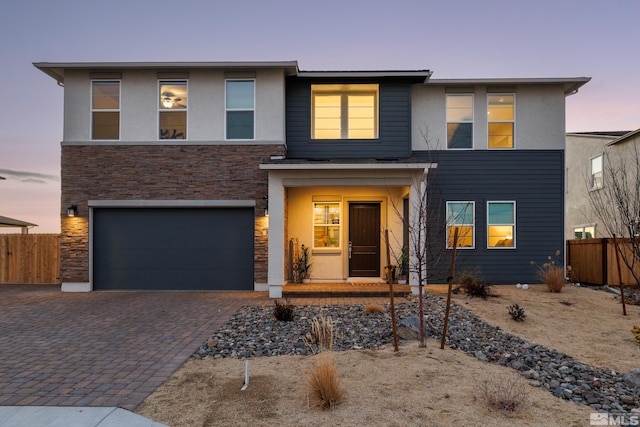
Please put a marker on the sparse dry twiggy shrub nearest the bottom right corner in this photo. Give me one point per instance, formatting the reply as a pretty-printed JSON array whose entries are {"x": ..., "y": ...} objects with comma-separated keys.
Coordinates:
[{"x": 505, "y": 393}]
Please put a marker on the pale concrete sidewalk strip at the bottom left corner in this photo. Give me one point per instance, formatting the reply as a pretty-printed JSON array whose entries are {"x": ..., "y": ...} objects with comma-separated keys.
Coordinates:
[{"x": 57, "y": 416}]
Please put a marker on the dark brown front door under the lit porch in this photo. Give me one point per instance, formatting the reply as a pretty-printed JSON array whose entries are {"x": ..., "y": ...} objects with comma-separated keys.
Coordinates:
[{"x": 364, "y": 239}]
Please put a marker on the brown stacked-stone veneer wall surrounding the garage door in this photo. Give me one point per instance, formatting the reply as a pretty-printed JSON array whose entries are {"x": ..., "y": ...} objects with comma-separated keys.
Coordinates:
[{"x": 158, "y": 172}]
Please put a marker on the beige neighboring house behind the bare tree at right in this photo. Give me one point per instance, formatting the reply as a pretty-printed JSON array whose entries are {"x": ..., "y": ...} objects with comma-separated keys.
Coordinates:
[{"x": 588, "y": 155}]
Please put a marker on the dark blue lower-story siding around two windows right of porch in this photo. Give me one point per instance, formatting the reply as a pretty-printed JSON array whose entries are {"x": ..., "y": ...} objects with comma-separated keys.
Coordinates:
[{"x": 534, "y": 179}]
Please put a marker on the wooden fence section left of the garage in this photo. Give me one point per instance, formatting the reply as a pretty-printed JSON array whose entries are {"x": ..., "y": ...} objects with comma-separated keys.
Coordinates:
[{"x": 29, "y": 258}]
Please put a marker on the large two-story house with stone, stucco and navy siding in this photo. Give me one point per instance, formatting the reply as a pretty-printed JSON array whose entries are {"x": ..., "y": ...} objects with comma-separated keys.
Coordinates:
[{"x": 170, "y": 170}]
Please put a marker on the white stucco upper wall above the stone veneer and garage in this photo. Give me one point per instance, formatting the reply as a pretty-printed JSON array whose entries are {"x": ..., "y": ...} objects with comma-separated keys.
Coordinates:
[{"x": 206, "y": 106}]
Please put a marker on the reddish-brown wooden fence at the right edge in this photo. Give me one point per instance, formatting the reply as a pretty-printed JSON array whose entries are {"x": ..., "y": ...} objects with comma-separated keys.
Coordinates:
[{"x": 594, "y": 262}]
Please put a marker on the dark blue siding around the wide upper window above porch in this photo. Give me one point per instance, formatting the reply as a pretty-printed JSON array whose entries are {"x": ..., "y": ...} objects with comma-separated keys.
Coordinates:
[{"x": 394, "y": 124}]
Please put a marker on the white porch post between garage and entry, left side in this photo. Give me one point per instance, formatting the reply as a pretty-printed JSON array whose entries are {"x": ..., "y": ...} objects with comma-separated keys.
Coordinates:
[{"x": 276, "y": 266}]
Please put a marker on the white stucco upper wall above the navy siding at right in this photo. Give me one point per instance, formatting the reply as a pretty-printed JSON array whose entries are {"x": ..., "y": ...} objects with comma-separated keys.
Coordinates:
[{"x": 539, "y": 124}]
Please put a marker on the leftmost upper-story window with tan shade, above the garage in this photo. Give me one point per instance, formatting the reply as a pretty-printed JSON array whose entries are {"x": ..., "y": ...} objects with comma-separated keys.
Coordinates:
[{"x": 105, "y": 110}]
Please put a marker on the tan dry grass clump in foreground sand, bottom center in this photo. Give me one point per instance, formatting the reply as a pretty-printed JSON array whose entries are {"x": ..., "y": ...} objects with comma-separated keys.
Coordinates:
[{"x": 325, "y": 388}]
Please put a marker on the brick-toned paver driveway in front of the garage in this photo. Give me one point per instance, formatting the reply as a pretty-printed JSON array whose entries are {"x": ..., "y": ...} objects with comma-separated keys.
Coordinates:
[{"x": 101, "y": 348}]
